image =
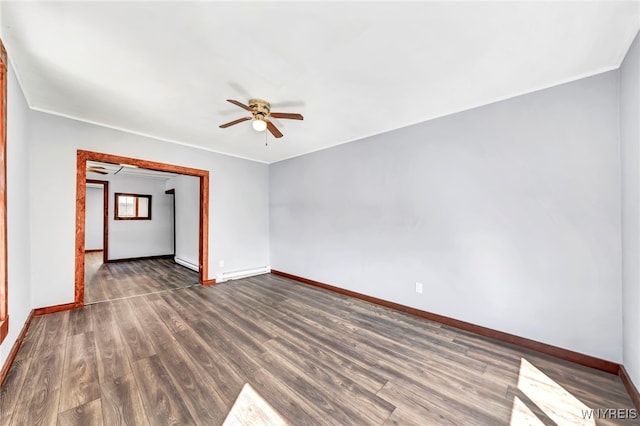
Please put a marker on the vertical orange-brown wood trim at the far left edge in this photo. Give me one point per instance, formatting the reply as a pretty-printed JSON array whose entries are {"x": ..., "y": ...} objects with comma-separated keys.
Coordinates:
[{"x": 4, "y": 275}]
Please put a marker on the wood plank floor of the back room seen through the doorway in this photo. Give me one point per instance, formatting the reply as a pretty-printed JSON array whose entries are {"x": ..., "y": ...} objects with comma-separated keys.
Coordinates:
[{"x": 119, "y": 280}]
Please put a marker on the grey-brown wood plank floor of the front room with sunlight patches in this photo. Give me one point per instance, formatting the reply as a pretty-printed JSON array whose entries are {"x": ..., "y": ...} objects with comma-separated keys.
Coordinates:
[{"x": 315, "y": 357}]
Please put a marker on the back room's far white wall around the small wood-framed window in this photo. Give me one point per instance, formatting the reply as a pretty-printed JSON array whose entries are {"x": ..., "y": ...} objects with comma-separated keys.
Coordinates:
[{"x": 141, "y": 238}]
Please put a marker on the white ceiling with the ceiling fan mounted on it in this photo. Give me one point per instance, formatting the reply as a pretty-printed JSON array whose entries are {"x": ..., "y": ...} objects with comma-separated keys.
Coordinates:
[{"x": 164, "y": 69}]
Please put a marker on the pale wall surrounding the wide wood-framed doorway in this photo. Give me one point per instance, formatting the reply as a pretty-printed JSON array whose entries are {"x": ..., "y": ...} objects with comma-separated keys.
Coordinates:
[{"x": 238, "y": 215}]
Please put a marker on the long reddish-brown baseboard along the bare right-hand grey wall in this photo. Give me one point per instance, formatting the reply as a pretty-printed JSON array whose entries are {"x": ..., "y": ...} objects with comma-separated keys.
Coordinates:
[{"x": 578, "y": 358}]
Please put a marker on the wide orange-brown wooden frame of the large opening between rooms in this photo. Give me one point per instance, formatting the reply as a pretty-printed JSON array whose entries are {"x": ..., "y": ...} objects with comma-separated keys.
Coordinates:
[{"x": 81, "y": 177}]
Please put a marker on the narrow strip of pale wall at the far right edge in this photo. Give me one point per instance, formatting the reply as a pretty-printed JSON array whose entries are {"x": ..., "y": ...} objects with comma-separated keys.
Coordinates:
[{"x": 630, "y": 158}]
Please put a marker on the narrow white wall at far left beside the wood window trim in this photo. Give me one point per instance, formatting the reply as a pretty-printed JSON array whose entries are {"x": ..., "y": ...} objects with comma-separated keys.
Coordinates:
[{"x": 18, "y": 207}]
